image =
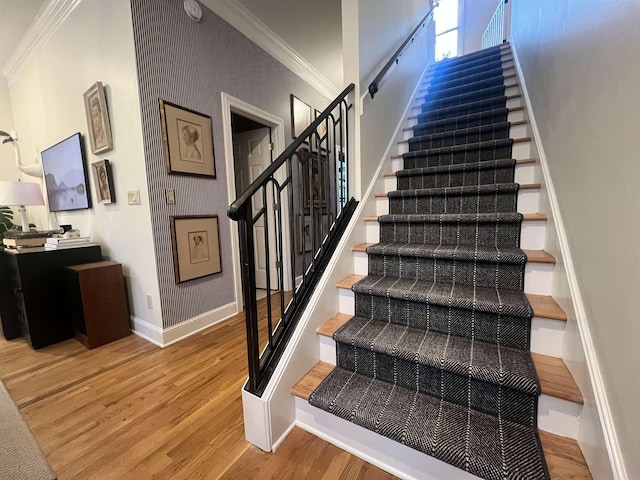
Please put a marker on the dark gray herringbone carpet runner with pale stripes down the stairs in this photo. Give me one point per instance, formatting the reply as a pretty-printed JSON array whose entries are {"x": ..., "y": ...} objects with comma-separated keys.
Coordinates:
[{"x": 437, "y": 355}]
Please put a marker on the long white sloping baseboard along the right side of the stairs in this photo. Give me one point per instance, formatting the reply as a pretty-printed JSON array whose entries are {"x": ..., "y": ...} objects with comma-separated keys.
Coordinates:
[{"x": 593, "y": 367}]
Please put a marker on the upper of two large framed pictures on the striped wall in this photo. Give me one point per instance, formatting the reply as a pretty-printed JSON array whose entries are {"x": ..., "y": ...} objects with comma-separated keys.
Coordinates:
[{"x": 188, "y": 141}]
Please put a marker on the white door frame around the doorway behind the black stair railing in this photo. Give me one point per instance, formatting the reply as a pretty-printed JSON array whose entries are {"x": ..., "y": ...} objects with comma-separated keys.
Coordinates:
[{"x": 234, "y": 105}]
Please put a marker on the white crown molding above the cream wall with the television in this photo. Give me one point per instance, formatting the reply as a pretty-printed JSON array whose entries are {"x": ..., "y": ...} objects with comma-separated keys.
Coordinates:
[{"x": 46, "y": 22}]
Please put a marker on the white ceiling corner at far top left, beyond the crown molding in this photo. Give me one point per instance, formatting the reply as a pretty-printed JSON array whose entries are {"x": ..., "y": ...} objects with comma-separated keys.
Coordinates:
[{"x": 16, "y": 17}]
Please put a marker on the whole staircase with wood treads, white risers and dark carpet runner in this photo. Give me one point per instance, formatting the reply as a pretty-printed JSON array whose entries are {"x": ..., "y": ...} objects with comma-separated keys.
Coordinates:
[{"x": 435, "y": 332}]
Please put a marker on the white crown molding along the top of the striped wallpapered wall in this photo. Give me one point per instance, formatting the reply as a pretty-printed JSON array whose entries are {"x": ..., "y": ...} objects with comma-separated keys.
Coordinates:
[{"x": 250, "y": 26}]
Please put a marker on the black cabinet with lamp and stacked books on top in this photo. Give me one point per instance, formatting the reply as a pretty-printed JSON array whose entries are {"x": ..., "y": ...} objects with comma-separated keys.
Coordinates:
[{"x": 34, "y": 299}]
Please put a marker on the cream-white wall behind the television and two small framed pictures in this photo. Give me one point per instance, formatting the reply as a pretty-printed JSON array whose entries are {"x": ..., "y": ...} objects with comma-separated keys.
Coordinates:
[{"x": 94, "y": 43}]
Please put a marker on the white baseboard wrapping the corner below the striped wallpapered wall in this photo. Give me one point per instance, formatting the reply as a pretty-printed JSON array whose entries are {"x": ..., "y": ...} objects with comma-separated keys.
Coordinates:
[{"x": 167, "y": 336}]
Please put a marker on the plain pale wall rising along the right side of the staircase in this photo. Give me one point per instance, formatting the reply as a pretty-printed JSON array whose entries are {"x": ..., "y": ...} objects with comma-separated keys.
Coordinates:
[{"x": 580, "y": 63}]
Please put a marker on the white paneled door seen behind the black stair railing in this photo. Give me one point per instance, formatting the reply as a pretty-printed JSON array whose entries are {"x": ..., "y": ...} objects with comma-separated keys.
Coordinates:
[{"x": 252, "y": 156}]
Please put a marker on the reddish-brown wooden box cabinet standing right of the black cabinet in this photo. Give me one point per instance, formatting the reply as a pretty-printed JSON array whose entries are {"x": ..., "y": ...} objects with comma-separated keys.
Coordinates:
[{"x": 98, "y": 296}]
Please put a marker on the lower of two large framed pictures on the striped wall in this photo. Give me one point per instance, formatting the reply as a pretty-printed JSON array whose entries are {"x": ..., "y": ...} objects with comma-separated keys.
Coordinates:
[{"x": 196, "y": 246}]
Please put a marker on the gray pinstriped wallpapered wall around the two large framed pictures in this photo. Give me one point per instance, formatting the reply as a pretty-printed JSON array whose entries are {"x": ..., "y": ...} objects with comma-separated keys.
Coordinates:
[{"x": 189, "y": 64}]
